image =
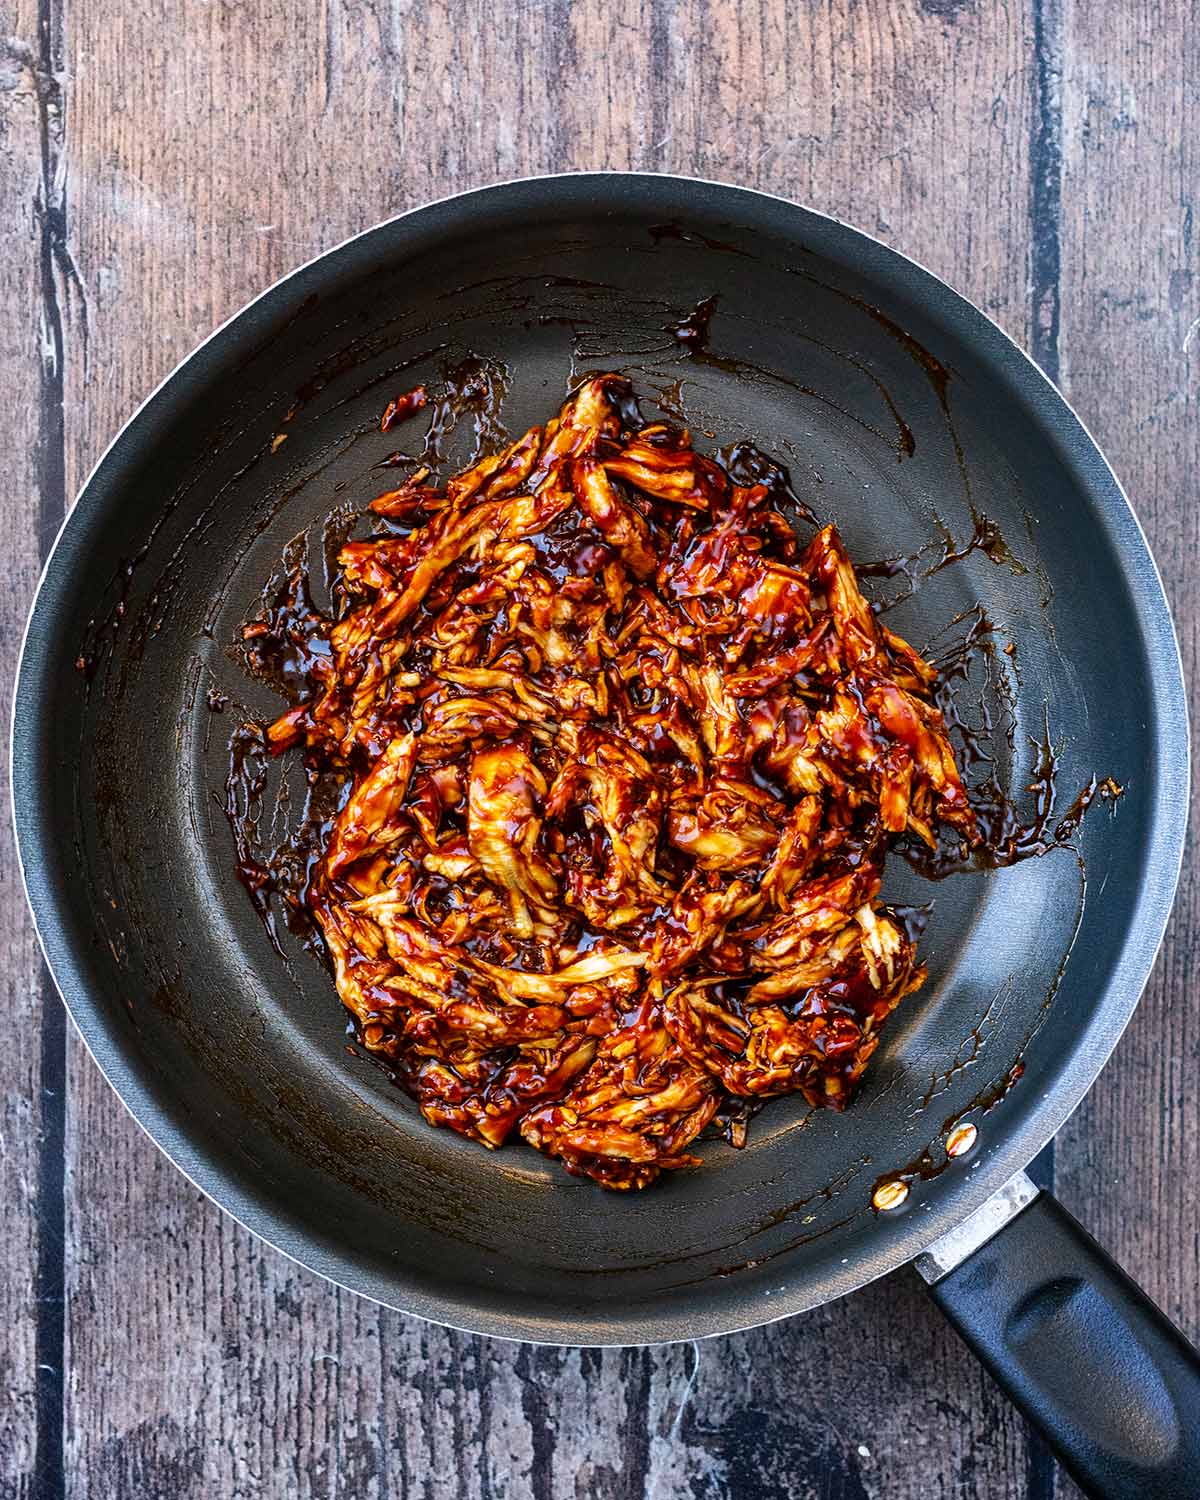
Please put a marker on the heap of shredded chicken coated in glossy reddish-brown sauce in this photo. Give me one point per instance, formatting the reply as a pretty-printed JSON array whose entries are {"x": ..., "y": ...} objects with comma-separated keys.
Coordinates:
[{"x": 622, "y": 763}]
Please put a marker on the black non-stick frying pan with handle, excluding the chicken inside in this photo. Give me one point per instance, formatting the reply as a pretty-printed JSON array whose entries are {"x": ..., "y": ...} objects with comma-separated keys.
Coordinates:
[{"x": 911, "y": 421}]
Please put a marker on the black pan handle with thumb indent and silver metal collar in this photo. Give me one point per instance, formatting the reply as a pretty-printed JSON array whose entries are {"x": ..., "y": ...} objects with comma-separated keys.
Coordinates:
[{"x": 1075, "y": 1343}]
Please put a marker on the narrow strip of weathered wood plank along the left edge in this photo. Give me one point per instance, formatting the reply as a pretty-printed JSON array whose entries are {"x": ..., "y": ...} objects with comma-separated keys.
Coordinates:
[{"x": 31, "y": 1064}]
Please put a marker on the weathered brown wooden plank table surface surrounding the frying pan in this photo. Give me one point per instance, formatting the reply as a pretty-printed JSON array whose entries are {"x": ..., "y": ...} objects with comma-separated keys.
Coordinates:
[{"x": 163, "y": 163}]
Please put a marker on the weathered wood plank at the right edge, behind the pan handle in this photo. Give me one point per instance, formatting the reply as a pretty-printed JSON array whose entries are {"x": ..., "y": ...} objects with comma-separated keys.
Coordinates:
[{"x": 1132, "y": 364}]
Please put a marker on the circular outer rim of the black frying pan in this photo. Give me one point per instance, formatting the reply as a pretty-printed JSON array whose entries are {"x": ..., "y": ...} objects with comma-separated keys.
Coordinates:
[{"x": 280, "y": 1228}]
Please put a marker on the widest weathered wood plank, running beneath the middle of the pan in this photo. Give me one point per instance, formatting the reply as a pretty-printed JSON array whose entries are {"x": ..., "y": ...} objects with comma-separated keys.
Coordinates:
[{"x": 242, "y": 143}]
